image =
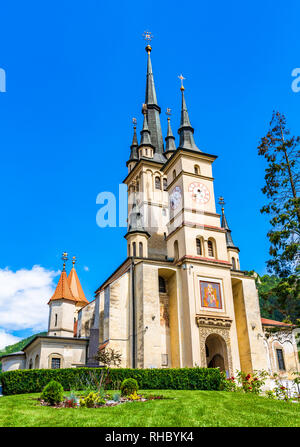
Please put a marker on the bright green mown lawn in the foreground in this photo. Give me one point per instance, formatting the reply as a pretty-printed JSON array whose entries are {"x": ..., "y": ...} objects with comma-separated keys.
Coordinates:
[{"x": 182, "y": 408}]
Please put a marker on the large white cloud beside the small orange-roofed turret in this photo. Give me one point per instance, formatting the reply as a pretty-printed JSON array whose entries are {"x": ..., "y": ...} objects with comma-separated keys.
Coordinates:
[{"x": 24, "y": 295}]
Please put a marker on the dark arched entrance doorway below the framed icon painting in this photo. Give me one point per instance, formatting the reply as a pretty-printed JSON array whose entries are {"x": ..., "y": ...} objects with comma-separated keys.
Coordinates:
[{"x": 216, "y": 352}]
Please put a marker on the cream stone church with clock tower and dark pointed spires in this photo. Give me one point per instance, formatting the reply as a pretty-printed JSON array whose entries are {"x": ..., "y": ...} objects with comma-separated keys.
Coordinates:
[{"x": 180, "y": 298}]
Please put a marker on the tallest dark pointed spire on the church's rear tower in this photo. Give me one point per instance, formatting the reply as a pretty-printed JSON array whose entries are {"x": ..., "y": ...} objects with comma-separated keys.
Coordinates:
[{"x": 153, "y": 112}]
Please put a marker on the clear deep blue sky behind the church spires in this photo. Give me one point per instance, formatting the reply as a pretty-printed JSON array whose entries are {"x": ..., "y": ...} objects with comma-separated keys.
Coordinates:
[{"x": 76, "y": 77}]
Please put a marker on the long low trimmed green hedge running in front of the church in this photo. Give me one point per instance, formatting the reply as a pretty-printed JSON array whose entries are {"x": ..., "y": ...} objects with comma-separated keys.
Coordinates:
[{"x": 33, "y": 380}]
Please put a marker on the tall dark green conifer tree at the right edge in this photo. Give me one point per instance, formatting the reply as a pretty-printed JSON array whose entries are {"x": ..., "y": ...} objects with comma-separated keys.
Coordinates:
[{"x": 282, "y": 180}]
